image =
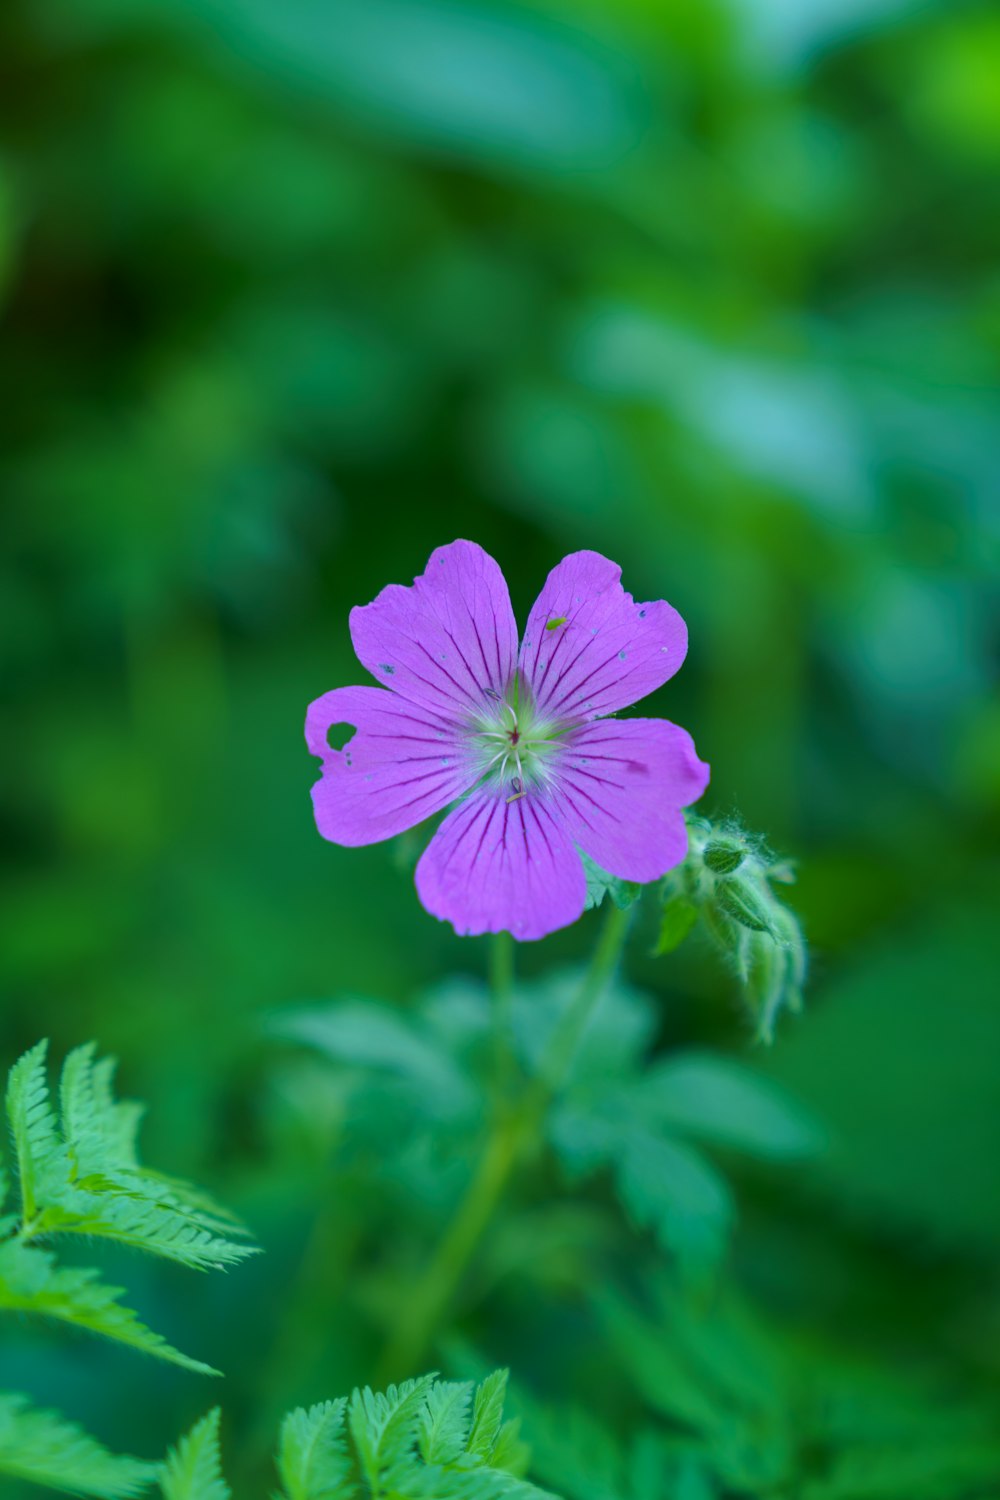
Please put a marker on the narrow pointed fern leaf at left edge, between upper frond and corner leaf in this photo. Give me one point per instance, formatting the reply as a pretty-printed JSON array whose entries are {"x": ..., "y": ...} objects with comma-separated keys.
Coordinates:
[{"x": 31, "y": 1282}]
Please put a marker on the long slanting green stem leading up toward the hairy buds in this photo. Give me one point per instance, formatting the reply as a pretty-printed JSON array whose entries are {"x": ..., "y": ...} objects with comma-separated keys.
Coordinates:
[{"x": 512, "y": 1133}]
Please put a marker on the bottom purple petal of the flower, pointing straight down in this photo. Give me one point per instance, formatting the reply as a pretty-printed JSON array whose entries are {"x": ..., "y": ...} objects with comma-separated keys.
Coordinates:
[{"x": 497, "y": 866}]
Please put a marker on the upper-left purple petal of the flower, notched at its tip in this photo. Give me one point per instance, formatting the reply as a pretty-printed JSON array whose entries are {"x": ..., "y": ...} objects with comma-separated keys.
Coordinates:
[{"x": 446, "y": 641}]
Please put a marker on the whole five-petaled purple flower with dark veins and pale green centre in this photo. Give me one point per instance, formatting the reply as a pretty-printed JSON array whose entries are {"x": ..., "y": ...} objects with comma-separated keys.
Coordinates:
[{"x": 518, "y": 740}]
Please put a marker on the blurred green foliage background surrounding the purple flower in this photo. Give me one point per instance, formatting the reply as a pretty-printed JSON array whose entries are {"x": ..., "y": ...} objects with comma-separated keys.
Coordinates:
[{"x": 295, "y": 293}]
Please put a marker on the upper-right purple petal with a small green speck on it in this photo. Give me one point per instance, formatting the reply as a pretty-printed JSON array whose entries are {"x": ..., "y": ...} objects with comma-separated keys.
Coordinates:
[{"x": 590, "y": 649}]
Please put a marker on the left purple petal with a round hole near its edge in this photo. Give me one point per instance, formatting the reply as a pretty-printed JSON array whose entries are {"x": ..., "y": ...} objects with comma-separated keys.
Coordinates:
[{"x": 397, "y": 770}]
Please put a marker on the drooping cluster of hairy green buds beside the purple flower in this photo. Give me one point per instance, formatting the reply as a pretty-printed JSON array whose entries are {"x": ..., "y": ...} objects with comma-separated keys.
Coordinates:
[{"x": 726, "y": 884}]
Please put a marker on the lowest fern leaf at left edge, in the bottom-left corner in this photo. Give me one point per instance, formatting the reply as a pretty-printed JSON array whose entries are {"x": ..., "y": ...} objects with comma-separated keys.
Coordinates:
[{"x": 47, "y": 1450}]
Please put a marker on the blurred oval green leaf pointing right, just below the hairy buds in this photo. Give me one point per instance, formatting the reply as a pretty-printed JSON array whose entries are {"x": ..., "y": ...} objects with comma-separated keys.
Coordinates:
[{"x": 725, "y": 1103}]
